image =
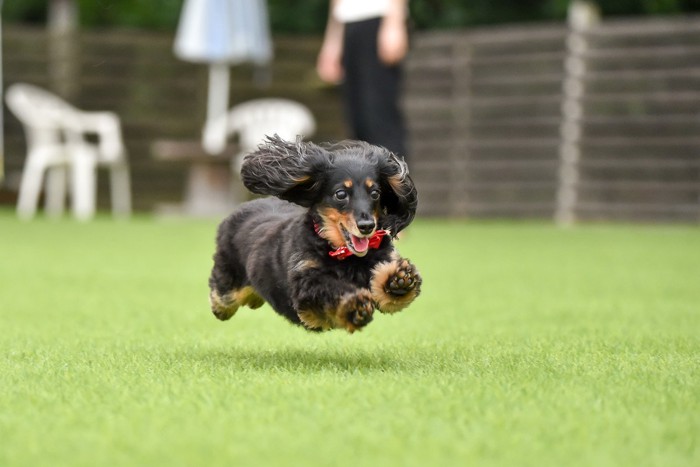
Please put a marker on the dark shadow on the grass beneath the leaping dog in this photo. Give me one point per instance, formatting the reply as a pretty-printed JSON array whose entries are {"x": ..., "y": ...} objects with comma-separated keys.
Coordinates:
[{"x": 300, "y": 360}]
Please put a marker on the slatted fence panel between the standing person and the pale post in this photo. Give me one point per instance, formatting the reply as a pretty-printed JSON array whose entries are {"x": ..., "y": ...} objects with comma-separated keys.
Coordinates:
[{"x": 484, "y": 110}]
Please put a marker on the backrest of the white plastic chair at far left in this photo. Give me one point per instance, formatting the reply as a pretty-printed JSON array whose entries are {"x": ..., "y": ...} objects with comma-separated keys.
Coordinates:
[{"x": 40, "y": 112}]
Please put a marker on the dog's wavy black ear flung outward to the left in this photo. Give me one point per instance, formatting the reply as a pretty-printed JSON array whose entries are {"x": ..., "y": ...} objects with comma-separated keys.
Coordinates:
[{"x": 292, "y": 171}]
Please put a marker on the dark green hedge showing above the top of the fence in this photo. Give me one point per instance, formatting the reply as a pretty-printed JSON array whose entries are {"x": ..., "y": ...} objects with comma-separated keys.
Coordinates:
[{"x": 309, "y": 16}]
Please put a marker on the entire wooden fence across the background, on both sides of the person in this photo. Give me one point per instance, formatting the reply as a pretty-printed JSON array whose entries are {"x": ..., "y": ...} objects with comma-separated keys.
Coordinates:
[{"x": 494, "y": 114}]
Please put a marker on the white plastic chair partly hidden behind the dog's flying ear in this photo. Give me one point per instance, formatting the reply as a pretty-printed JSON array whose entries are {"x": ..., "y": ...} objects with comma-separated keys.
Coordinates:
[{"x": 251, "y": 121}]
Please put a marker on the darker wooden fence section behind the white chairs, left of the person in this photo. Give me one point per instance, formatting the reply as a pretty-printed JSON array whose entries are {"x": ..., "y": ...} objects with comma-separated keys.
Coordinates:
[{"x": 157, "y": 96}]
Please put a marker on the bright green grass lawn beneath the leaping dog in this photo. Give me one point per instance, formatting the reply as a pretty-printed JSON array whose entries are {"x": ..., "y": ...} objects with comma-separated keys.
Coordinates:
[{"x": 530, "y": 345}]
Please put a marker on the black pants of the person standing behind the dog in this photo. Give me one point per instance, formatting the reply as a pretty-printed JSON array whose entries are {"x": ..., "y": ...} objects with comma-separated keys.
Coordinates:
[{"x": 372, "y": 89}]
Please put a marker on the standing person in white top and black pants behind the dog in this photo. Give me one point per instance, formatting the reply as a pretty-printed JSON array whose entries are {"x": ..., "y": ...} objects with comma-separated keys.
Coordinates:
[{"x": 364, "y": 44}]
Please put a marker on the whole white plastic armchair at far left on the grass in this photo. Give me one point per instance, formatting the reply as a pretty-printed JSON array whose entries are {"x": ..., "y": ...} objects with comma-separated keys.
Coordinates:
[{"x": 59, "y": 149}]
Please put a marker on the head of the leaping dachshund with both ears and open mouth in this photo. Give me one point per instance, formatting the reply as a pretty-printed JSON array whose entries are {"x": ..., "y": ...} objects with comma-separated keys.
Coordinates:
[{"x": 353, "y": 188}]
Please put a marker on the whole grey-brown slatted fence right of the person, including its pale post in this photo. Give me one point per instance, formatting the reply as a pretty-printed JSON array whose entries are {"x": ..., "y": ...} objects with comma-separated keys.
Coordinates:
[{"x": 540, "y": 121}]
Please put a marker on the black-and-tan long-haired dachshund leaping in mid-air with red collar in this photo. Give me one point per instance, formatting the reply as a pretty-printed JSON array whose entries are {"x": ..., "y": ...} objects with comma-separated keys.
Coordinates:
[{"x": 321, "y": 252}]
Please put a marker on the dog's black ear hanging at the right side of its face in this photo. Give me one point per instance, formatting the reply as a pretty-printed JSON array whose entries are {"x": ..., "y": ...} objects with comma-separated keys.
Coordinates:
[{"x": 399, "y": 196}]
